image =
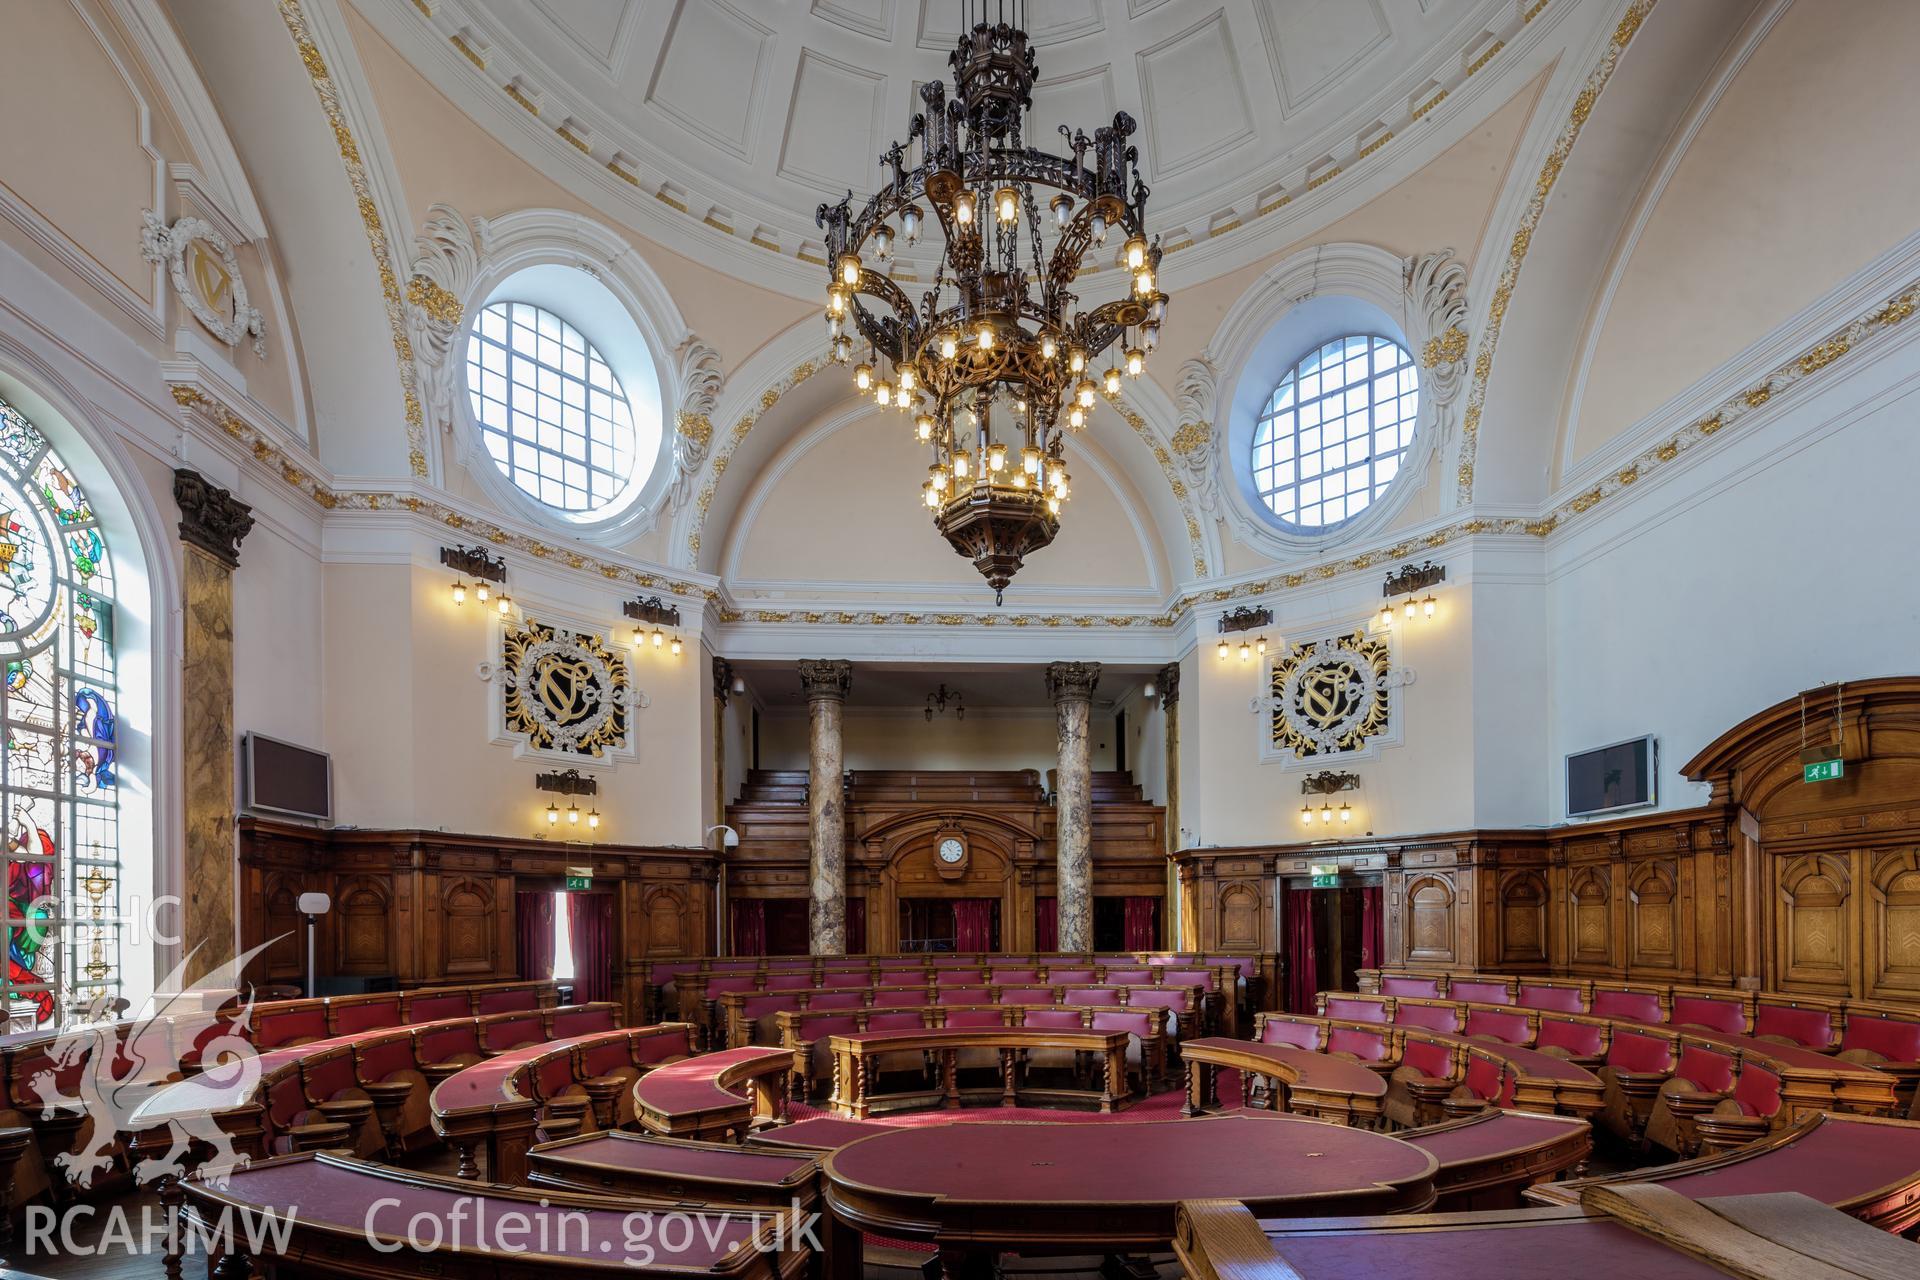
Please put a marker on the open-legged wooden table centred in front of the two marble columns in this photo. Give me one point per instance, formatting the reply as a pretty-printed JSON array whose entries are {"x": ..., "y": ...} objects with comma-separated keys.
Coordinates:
[{"x": 857, "y": 1064}]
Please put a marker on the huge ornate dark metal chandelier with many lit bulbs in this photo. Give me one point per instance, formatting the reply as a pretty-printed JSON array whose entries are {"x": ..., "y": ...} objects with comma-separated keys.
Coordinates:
[{"x": 997, "y": 362}]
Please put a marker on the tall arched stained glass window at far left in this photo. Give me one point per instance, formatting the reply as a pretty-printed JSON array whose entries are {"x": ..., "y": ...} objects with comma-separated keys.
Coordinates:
[{"x": 59, "y": 705}]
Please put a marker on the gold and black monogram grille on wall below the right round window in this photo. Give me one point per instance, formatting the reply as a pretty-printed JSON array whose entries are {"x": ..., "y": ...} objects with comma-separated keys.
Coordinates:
[{"x": 1333, "y": 698}]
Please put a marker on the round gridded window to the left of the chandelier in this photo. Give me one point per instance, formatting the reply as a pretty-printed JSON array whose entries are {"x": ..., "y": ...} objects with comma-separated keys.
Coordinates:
[{"x": 552, "y": 412}]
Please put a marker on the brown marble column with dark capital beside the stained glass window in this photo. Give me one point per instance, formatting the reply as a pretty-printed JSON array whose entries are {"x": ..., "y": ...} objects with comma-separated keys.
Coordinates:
[{"x": 212, "y": 527}]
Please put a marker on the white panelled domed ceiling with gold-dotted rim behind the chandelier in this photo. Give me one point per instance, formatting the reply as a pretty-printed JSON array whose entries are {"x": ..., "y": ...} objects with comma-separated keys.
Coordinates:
[{"x": 746, "y": 114}]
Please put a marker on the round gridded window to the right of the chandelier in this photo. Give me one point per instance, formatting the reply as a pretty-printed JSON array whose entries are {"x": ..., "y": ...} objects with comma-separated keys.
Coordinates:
[{"x": 1333, "y": 435}]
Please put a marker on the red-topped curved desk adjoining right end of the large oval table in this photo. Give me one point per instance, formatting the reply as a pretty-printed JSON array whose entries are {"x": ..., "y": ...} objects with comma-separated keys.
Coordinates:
[{"x": 1491, "y": 1158}]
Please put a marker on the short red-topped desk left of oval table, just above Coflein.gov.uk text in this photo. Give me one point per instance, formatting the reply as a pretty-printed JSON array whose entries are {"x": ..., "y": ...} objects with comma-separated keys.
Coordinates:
[{"x": 709, "y": 1173}]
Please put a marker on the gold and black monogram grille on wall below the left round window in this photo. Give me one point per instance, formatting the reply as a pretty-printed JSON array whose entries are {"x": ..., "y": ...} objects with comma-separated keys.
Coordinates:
[{"x": 564, "y": 692}]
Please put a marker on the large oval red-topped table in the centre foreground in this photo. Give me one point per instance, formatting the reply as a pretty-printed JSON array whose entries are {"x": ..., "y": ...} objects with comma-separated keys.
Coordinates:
[{"x": 974, "y": 1191}]
